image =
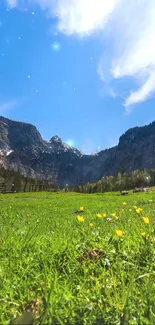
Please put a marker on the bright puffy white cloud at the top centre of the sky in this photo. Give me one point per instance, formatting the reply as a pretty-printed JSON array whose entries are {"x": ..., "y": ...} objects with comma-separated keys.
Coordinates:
[{"x": 79, "y": 16}]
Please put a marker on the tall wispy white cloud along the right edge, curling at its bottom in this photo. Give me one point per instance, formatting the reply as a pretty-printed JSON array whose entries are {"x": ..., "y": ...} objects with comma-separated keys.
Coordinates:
[{"x": 136, "y": 56}]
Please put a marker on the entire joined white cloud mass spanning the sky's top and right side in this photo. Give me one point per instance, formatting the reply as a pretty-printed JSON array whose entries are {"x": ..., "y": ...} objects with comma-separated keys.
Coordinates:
[{"x": 127, "y": 27}]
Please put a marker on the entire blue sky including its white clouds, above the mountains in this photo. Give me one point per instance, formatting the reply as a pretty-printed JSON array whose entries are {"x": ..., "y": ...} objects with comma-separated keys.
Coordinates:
[{"x": 83, "y": 70}]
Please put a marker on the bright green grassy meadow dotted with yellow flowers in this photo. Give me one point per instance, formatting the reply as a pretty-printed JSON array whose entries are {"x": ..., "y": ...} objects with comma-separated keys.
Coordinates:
[{"x": 48, "y": 259}]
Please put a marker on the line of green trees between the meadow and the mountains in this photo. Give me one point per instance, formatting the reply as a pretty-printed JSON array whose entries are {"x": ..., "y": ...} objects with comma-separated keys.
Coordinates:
[{"x": 11, "y": 181}]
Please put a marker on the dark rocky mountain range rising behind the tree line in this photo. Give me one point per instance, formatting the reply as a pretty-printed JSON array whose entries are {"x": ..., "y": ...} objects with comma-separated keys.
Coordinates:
[{"x": 22, "y": 148}]
